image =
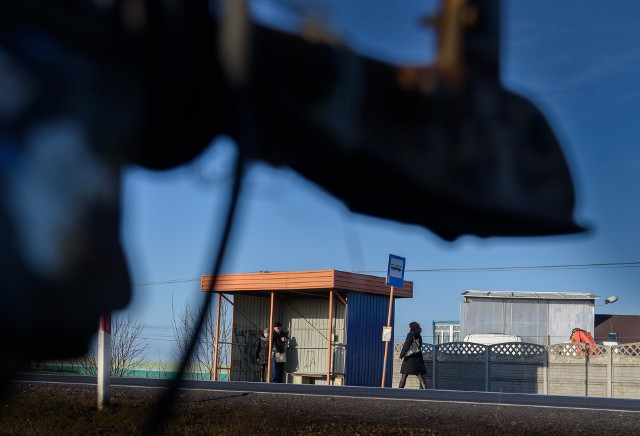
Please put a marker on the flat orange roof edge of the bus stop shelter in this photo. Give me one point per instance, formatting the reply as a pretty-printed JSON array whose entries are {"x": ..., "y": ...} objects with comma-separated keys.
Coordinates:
[{"x": 316, "y": 283}]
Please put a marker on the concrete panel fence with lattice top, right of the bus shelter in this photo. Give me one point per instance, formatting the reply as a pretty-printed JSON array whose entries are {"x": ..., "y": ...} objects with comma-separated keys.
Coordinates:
[{"x": 574, "y": 369}]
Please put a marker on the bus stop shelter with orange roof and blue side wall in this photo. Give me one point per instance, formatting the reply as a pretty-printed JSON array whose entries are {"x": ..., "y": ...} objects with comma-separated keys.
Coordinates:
[{"x": 334, "y": 320}]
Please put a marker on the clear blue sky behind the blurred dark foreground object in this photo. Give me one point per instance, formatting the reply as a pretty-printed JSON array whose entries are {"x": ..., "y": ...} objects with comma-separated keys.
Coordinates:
[{"x": 578, "y": 60}]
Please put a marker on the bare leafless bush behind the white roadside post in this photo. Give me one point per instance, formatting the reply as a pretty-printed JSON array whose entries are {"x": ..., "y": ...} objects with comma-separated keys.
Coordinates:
[{"x": 128, "y": 348}]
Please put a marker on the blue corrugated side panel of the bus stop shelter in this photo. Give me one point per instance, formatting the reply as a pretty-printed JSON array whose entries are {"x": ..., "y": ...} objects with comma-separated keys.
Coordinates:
[{"x": 366, "y": 315}]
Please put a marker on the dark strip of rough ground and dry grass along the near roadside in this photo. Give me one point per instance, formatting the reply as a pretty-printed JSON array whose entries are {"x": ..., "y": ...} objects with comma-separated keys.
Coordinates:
[{"x": 38, "y": 408}]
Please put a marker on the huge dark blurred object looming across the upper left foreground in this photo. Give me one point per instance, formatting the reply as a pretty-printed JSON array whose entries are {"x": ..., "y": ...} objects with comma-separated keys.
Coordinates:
[{"x": 89, "y": 86}]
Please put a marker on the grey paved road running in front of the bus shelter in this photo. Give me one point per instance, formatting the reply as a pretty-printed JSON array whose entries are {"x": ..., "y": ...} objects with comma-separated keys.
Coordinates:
[{"x": 503, "y": 399}]
